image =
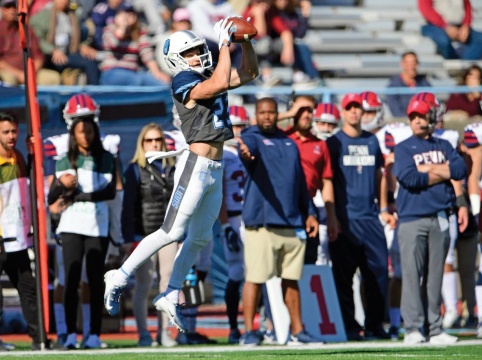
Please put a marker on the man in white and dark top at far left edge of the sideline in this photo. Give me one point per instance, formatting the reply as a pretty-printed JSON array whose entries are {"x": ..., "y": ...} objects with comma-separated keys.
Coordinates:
[{"x": 15, "y": 235}]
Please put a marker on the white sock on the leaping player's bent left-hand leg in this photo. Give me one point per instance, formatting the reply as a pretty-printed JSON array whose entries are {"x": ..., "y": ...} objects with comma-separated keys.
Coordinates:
[{"x": 146, "y": 248}]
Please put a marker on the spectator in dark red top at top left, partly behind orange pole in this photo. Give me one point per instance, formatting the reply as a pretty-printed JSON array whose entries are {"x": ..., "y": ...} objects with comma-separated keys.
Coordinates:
[{"x": 11, "y": 52}]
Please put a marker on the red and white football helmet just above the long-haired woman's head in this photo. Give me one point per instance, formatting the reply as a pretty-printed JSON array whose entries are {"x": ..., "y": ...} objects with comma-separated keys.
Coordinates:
[{"x": 80, "y": 107}]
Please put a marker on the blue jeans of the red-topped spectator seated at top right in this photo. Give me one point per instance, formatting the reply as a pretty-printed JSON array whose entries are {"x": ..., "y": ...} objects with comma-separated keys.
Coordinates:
[{"x": 471, "y": 50}]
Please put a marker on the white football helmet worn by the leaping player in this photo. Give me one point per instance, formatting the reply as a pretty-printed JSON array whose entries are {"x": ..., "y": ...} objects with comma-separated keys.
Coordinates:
[{"x": 178, "y": 43}]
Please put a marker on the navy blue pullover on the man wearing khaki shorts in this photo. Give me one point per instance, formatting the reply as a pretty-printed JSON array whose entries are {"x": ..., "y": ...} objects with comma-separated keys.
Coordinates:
[{"x": 275, "y": 192}]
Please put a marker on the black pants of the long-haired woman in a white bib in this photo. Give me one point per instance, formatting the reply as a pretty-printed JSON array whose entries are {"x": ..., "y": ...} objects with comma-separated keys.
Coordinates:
[{"x": 74, "y": 247}]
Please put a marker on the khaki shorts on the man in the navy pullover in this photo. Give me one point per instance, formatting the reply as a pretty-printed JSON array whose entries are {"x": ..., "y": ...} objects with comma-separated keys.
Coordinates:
[{"x": 273, "y": 252}]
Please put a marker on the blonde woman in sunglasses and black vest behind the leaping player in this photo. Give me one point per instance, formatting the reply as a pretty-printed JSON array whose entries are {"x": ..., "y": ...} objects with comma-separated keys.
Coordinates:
[{"x": 148, "y": 188}]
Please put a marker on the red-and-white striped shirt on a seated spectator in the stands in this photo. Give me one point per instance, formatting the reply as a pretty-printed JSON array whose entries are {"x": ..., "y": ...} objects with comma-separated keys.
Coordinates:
[{"x": 126, "y": 53}]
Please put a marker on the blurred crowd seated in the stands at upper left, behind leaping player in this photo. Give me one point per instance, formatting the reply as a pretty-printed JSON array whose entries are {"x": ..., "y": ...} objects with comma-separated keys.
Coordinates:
[{"x": 120, "y": 42}]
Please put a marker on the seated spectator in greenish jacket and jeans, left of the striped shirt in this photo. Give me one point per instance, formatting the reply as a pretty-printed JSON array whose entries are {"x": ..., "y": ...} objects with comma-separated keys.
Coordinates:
[{"x": 58, "y": 30}]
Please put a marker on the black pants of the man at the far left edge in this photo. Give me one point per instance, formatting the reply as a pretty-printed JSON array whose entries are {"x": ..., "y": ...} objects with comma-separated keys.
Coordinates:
[{"x": 17, "y": 267}]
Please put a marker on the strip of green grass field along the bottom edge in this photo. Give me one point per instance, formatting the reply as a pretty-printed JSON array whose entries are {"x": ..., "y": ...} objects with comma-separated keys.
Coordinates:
[{"x": 121, "y": 350}]
